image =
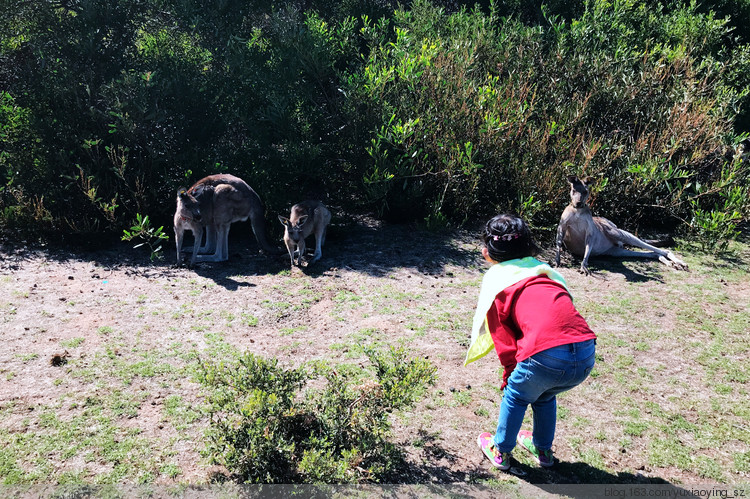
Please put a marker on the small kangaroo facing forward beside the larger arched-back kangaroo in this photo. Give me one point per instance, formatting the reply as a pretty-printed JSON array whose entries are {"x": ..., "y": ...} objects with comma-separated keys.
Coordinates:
[{"x": 306, "y": 218}]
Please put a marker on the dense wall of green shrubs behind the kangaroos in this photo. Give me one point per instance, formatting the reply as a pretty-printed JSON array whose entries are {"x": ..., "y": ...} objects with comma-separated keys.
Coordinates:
[{"x": 432, "y": 111}]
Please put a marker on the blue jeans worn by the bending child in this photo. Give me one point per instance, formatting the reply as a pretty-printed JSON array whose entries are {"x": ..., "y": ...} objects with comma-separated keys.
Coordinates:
[{"x": 536, "y": 381}]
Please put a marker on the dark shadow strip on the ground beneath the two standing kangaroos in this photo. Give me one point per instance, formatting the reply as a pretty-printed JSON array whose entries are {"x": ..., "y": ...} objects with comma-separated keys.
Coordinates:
[{"x": 359, "y": 244}]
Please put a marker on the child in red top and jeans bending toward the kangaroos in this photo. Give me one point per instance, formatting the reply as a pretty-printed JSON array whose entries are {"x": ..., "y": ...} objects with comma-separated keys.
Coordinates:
[{"x": 525, "y": 312}]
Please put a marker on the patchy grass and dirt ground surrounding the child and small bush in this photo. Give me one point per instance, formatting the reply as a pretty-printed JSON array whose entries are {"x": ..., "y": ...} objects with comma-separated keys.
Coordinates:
[{"x": 667, "y": 400}]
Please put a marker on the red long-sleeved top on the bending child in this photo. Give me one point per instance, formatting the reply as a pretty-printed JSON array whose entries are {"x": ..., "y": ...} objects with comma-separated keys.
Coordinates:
[{"x": 531, "y": 316}]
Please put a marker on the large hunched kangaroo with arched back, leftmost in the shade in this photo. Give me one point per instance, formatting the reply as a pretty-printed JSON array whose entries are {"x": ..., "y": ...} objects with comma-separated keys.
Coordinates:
[{"x": 214, "y": 203}]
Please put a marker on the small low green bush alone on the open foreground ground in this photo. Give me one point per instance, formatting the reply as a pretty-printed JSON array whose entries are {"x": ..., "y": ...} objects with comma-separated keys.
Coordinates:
[{"x": 315, "y": 423}]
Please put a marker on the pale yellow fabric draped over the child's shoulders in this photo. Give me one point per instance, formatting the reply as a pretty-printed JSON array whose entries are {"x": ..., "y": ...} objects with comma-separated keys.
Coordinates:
[{"x": 497, "y": 278}]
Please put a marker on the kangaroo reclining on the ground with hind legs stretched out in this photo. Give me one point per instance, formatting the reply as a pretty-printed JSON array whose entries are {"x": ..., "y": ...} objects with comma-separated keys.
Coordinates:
[{"x": 585, "y": 235}]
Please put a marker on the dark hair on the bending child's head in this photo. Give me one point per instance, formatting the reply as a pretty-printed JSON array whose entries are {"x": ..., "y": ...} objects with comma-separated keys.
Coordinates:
[{"x": 508, "y": 237}]
